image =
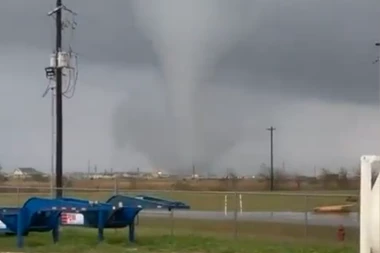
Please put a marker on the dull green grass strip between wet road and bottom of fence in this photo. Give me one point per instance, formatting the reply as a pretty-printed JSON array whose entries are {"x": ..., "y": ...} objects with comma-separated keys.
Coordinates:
[{"x": 248, "y": 229}]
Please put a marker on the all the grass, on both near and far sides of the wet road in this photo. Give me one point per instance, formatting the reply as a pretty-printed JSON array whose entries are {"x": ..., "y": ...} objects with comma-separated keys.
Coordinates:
[{"x": 162, "y": 234}]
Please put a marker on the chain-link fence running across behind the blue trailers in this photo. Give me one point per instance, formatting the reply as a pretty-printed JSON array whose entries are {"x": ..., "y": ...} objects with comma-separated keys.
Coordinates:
[{"x": 233, "y": 214}]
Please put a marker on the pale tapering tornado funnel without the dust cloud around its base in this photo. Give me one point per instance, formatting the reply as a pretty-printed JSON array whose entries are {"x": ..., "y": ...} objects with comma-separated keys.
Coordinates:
[{"x": 189, "y": 37}]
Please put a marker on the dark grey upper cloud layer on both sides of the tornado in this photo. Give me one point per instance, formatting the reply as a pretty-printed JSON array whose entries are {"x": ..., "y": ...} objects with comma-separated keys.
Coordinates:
[{"x": 320, "y": 49}]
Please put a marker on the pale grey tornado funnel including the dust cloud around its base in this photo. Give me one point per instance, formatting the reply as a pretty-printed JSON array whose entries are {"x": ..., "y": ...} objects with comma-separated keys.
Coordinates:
[{"x": 189, "y": 38}]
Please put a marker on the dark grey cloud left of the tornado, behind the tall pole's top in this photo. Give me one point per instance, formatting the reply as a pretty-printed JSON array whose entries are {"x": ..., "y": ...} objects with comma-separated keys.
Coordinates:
[{"x": 105, "y": 34}]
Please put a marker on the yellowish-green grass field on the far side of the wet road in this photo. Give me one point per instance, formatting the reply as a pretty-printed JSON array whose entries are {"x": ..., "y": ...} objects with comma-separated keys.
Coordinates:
[{"x": 215, "y": 201}]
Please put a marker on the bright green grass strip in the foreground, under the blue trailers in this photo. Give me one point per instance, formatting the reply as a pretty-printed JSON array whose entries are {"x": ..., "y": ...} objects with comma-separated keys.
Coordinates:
[{"x": 79, "y": 240}]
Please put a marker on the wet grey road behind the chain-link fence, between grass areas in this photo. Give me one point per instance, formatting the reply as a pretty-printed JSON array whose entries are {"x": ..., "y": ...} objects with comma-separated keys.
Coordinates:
[{"x": 347, "y": 220}]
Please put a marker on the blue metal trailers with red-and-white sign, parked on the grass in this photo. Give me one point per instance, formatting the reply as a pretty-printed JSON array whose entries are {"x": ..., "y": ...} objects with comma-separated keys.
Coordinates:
[{"x": 43, "y": 215}]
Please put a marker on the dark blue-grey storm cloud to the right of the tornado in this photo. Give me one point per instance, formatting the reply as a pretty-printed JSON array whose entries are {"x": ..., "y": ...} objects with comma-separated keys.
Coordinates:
[{"x": 321, "y": 49}]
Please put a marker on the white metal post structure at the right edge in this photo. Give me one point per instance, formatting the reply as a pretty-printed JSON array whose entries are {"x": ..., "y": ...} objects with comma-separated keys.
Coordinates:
[{"x": 369, "y": 206}]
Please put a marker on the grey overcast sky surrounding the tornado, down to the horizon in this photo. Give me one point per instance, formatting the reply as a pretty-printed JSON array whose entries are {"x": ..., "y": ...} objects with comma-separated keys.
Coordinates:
[{"x": 303, "y": 66}]
